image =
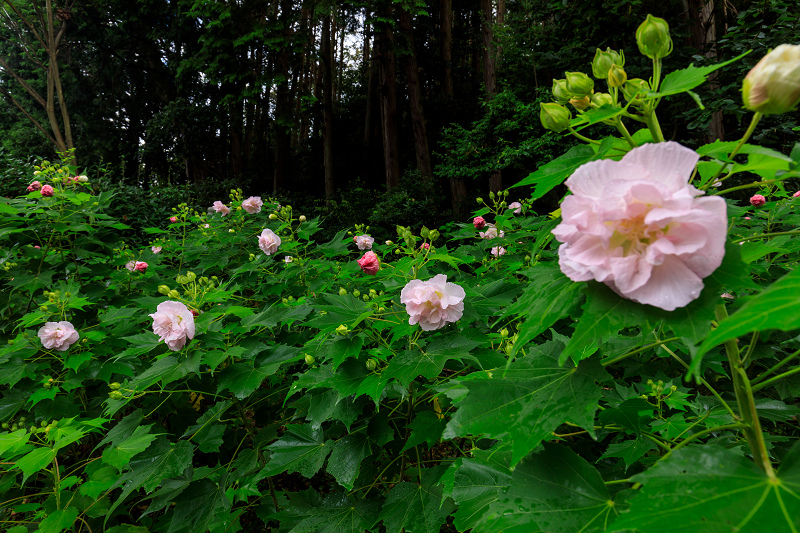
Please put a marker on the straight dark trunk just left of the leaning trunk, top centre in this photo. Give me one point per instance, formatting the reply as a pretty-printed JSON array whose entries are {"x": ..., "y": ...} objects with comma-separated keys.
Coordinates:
[{"x": 388, "y": 93}]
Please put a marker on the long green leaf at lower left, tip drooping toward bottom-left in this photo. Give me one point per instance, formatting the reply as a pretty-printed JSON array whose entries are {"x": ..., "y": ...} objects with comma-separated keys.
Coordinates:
[{"x": 150, "y": 468}]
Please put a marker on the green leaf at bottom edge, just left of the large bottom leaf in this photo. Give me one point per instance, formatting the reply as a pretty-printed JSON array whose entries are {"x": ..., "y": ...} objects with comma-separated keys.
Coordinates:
[{"x": 477, "y": 483}]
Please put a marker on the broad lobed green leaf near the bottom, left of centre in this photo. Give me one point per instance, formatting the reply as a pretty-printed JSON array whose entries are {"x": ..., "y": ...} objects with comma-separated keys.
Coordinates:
[{"x": 302, "y": 450}]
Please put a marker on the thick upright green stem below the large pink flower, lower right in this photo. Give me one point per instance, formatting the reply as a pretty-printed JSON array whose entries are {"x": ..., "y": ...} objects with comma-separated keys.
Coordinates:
[{"x": 744, "y": 397}]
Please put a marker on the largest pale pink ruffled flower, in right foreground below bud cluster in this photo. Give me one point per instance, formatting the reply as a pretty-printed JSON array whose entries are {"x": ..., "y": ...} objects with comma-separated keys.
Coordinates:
[{"x": 638, "y": 226}]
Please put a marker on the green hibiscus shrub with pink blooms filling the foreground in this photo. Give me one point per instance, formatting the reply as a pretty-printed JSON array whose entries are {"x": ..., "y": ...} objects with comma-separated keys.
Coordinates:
[{"x": 235, "y": 374}]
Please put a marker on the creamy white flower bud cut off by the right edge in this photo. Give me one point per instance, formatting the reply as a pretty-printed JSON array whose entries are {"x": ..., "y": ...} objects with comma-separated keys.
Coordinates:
[{"x": 773, "y": 85}]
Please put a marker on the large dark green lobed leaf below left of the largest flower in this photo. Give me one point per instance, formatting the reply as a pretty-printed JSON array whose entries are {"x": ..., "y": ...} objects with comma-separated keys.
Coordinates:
[{"x": 529, "y": 401}]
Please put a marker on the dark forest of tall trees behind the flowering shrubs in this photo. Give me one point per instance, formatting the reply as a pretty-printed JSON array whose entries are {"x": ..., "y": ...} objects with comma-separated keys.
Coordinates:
[{"x": 380, "y": 112}]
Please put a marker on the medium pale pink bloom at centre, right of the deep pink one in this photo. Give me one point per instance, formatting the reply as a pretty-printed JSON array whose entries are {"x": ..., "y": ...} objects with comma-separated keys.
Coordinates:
[{"x": 434, "y": 303}]
